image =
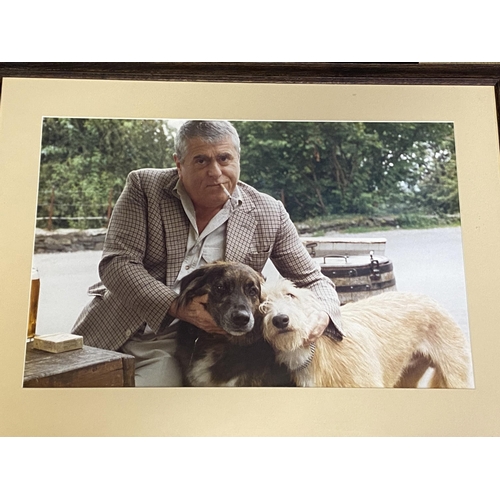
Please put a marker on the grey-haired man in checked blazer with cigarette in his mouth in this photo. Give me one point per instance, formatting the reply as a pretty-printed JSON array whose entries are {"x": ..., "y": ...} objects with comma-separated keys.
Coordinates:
[{"x": 168, "y": 222}]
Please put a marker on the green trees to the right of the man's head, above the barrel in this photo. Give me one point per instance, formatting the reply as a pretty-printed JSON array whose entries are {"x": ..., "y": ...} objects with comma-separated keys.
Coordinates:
[{"x": 324, "y": 168}]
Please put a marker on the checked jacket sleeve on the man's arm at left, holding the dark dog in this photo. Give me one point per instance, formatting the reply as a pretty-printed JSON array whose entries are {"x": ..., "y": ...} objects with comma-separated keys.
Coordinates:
[{"x": 122, "y": 269}]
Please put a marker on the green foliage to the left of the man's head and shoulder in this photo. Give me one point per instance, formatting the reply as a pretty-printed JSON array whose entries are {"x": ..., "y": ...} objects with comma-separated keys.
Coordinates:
[{"x": 84, "y": 163}]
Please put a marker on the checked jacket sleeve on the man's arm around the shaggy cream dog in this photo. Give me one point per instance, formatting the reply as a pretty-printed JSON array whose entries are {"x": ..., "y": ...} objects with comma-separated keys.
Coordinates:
[{"x": 293, "y": 262}]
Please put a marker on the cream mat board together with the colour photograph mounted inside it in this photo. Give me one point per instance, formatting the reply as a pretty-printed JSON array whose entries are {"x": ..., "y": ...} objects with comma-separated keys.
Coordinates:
[{"x": 311, "y": 246}]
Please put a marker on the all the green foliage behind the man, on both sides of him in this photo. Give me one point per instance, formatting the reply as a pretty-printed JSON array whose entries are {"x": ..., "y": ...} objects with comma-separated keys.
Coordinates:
[{"x": 318, "y": 169}]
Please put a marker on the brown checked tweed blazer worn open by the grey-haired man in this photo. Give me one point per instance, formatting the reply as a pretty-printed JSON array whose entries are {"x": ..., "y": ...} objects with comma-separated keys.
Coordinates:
[{"x": 145, "y": 247}]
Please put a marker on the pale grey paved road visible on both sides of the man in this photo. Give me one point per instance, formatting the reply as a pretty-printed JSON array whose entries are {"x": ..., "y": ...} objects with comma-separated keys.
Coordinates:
[{"x": 428, "y": 261}]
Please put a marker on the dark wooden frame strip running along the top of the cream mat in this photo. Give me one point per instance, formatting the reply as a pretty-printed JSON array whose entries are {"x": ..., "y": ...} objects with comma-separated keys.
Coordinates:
[{"x": 345, "y": 73}]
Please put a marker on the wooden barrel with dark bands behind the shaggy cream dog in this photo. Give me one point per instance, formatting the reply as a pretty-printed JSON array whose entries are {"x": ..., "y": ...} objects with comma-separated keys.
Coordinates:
[{"x": 359, "y": 276}]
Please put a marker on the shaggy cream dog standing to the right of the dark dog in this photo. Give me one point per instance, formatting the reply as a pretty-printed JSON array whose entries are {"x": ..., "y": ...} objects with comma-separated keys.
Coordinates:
[{"x": 390, "y": 340}]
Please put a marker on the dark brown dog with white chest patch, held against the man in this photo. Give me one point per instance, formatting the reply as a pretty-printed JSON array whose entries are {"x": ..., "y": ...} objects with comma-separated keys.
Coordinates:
[{"x": 240, "y": 358}]
